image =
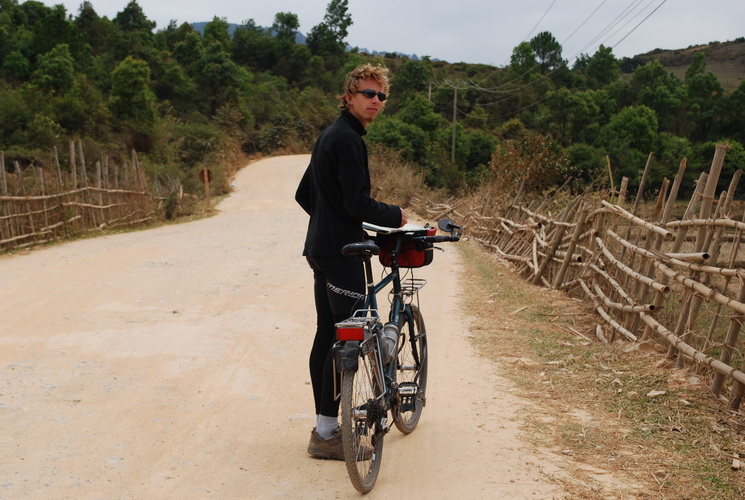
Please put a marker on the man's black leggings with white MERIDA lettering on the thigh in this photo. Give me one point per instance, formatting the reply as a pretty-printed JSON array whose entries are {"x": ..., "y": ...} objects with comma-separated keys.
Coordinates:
[{"x": 339, "y": 289}]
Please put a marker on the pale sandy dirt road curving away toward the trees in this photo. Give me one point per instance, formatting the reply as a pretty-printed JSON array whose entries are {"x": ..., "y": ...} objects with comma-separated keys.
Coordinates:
[{"x": 172, "y": 363}]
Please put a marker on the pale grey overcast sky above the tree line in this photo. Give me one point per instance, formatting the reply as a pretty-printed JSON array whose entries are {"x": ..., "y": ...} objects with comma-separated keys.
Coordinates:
[{"x": 477, "y": 31}]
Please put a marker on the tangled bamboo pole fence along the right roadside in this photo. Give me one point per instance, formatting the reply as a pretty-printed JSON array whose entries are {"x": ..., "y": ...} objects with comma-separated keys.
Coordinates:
[{"x": 673, "y": 281}]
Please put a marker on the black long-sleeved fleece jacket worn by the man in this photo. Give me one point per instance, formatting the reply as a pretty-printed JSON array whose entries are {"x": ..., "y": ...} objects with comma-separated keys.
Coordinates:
[{"x": 335, "y": 190}]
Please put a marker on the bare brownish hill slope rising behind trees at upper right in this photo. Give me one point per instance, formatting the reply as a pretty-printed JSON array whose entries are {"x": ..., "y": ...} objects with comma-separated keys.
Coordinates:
[{"x": 725, "y": 59}]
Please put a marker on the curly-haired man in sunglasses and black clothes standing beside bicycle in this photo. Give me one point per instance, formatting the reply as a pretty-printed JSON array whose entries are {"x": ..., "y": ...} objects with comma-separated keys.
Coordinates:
[{"x": 335, "y": 192}]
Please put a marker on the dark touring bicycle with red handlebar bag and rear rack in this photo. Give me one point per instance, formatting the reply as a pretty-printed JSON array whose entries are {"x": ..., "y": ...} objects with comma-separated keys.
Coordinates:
[{"x": 383, "y": 367}]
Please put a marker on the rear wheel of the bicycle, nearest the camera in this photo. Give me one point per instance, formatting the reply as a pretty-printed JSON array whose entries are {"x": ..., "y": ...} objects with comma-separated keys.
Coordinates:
[{"x": 361, "y": 423}]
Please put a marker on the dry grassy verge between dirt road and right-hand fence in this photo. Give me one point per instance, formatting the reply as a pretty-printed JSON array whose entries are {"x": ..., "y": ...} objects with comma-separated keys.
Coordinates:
[{"x": 626, "y": 411}]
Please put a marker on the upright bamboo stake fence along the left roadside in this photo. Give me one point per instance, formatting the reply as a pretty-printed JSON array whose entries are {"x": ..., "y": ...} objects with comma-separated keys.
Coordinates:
[{"x": 39, "y": 205}]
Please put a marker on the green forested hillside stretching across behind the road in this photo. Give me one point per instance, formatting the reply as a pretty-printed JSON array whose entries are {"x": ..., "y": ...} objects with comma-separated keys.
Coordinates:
[{"x": 185, "y": 99}]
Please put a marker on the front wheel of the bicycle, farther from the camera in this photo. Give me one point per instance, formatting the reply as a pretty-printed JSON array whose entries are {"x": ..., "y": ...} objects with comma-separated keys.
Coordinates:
[{"x": 411, "y": 370}]
